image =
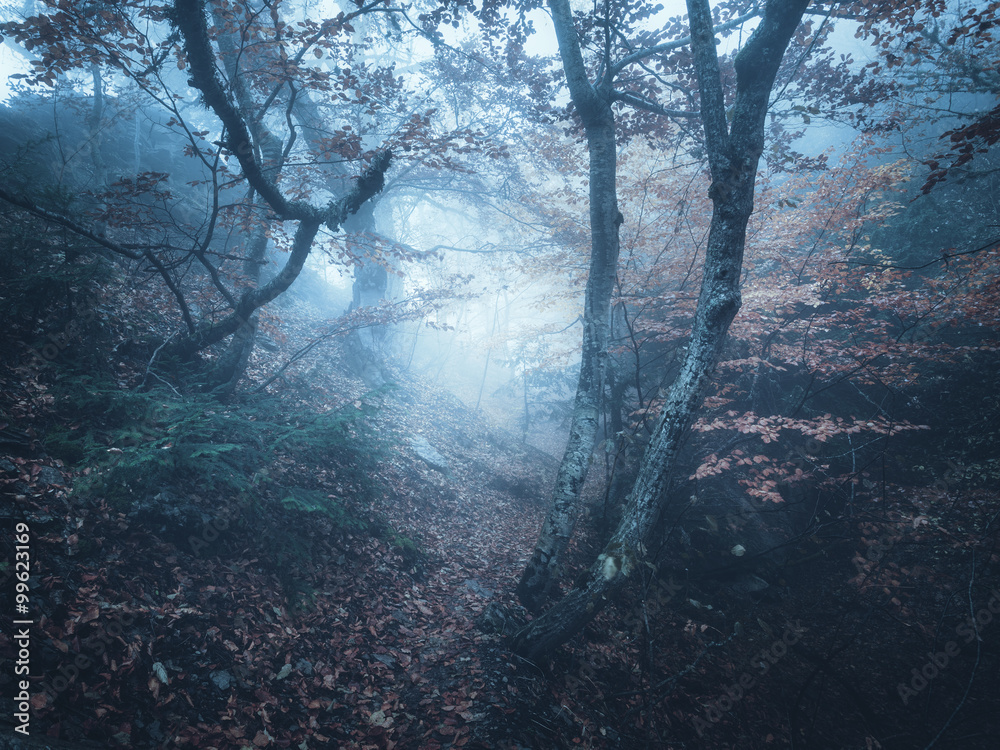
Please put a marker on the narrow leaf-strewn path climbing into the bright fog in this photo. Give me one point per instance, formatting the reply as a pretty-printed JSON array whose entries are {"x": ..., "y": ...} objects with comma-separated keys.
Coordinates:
[{"x": 437, "y": 680}]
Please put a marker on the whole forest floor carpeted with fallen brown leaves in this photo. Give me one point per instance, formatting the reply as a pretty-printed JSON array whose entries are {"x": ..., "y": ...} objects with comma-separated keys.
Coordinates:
[{"x": 388, "y": 628}]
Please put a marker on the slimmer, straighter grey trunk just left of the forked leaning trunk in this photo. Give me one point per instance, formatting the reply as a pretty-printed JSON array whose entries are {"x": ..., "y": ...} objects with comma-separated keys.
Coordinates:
[{"x": 593, "y": 103}]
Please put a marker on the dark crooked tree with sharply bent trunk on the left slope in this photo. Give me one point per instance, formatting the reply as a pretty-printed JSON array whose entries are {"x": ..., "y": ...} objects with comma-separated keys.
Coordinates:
[{"x": 116, "y": 36}]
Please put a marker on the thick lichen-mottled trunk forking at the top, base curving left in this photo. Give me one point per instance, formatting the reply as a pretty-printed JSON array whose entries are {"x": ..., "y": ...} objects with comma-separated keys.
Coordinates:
[{"x": 733, "y": 155}]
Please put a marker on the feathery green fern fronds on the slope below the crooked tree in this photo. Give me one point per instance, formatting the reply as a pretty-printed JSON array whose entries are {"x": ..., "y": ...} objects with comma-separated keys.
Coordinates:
[{"x": 147, "y": 441}]
